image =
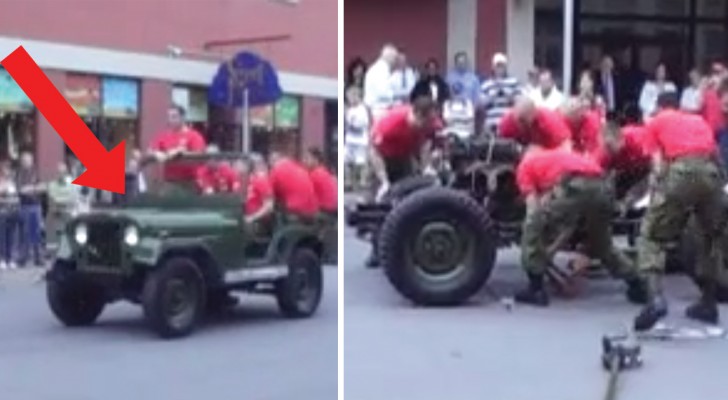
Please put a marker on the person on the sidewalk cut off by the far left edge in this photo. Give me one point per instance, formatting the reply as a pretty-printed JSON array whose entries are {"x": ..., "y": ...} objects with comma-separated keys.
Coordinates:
[{"x": 8, "y": 216}]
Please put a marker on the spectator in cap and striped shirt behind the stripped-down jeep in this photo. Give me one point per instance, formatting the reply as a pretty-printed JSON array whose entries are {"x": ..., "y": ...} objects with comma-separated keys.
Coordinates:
[{"x": 498, "y": 94}]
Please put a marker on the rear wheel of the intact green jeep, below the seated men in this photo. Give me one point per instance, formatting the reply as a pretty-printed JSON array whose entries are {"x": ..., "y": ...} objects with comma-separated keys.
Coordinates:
[{"x": 299, "y": 293}]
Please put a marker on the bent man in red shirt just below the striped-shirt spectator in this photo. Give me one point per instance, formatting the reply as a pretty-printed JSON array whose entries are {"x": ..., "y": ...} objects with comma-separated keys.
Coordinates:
[{"x": 534, "y": 126}]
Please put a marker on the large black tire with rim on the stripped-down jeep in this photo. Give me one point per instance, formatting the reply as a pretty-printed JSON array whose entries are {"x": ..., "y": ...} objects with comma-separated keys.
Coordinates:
[{"x": 444, "y": 227}]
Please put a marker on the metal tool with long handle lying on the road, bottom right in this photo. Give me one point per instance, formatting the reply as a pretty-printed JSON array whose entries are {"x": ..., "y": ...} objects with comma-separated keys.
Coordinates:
[{"x": 619, "y": 353}]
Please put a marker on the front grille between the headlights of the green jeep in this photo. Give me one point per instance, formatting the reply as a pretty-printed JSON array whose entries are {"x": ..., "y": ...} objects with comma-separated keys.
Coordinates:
[{"x": 104, "y": 246}]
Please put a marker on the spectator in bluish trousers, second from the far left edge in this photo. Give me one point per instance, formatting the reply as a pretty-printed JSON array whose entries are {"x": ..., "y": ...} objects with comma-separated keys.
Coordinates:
[{"x": 31, "y": 214}]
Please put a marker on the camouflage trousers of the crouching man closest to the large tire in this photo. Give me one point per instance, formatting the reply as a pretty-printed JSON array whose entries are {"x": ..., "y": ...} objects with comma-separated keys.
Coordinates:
[{"x": 576, "y": 203}]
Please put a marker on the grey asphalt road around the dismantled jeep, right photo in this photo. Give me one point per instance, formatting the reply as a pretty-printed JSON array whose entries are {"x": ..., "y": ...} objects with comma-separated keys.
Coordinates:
[{"x": 481, "y": 351}]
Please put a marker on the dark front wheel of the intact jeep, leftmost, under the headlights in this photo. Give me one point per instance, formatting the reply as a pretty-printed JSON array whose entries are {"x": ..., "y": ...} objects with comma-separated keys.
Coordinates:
[{"x": 75, "y": 303}]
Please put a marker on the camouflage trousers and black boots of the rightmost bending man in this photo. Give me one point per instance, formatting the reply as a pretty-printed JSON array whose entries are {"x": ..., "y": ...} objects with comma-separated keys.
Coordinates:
[{"x": 689, "y": 186}]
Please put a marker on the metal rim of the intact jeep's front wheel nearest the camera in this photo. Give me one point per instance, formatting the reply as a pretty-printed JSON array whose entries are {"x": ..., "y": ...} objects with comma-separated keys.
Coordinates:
[{"x": 179, "y": 302}]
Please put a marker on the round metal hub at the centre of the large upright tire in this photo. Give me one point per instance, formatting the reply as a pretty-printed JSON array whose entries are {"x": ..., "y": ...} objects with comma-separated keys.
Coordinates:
[{"x": 438, "y": 248}]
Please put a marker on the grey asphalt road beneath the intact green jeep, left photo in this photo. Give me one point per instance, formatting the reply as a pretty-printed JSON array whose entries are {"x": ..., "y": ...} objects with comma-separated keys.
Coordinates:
[{"x": 252, "y": 354}]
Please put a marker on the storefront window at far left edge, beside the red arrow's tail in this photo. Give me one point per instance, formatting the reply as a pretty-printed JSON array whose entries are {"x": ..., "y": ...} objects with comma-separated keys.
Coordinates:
[{"x": 17, "y": 119}]
